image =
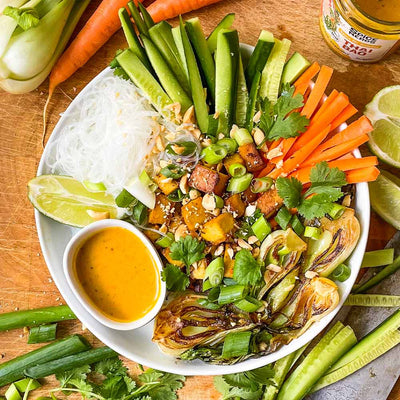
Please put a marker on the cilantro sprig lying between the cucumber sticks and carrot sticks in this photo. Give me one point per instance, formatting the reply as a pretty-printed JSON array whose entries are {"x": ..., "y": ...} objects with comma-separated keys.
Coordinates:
[{"x": 280, "y": 120}]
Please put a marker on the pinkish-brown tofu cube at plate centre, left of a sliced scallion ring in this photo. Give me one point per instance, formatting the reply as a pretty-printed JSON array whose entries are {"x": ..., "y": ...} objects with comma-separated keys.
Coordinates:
[{"x": 207, "y": 180}]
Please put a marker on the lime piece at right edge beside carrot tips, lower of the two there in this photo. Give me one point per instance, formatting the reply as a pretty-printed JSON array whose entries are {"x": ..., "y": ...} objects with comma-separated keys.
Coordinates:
[{"x": 385, "y": 197}]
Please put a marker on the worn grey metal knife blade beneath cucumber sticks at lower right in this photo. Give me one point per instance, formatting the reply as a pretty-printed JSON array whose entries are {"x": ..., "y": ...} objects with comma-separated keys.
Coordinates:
[{"x": 376, "y": 380}]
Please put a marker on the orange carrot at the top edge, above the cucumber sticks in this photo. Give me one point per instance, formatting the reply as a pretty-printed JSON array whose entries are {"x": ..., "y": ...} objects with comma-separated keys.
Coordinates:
[{"x": 166, "y": 9}]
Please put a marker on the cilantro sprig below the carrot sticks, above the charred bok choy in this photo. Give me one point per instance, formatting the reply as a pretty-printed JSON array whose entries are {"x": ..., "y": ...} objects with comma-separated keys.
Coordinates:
[{"x": 318, "y": 200}]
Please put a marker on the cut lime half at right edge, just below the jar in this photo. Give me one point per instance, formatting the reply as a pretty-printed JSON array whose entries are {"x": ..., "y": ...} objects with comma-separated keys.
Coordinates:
[{"x": 384, "y": 113}]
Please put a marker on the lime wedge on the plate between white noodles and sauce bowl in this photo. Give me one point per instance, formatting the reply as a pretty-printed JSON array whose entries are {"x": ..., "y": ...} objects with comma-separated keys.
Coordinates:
[{"x": 67, "y": 200}]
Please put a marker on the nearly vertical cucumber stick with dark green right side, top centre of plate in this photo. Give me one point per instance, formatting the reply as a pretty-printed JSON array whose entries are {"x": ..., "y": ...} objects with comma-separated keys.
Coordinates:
[{"x": 226, "y": 63}]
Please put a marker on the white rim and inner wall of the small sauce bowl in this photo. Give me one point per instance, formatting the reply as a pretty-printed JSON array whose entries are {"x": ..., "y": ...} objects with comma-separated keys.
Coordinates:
[{"x": 68, "y": 263}]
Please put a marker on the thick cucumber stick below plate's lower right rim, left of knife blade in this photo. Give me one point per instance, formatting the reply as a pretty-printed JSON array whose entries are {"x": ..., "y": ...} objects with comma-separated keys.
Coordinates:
[{"x": 330, "y": 348}]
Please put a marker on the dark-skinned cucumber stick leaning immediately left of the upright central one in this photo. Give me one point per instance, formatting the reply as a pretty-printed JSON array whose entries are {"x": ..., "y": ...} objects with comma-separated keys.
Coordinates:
[{"x": 204, "y": 56}]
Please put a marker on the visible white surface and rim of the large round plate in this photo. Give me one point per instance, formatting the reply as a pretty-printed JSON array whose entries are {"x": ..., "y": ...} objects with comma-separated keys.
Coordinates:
[{"x": 137, "y": 345}]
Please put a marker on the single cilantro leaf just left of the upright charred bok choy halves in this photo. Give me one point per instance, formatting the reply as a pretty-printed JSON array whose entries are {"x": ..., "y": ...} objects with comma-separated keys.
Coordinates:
[{"x": 247, "y": 271}]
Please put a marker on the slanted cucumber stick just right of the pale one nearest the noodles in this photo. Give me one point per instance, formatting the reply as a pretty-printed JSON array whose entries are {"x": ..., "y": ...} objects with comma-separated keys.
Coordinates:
[{"x": 167, "y": 78}]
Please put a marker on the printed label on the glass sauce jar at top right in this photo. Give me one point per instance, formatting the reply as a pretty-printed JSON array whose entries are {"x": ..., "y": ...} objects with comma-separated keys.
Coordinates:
[{"x": 353, "y": 44}]
